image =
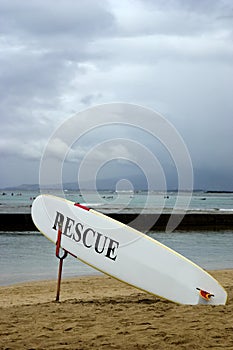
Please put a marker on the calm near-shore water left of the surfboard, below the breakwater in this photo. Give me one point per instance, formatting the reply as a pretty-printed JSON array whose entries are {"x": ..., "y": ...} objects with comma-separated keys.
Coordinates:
[{"x": 29, "y": 256}]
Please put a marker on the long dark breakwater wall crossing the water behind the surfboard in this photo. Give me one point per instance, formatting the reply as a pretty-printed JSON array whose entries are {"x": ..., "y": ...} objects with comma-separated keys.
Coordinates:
[{"x": 155, "y": 222}]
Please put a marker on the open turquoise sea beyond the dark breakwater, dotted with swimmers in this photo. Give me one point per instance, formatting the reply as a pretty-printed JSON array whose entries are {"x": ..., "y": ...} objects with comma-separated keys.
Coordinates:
[{"x": 109, "y": 201}]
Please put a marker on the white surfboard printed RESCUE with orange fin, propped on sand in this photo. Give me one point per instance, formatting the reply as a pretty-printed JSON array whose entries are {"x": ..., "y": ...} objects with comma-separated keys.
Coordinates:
[{"x": 125, "y": 253}]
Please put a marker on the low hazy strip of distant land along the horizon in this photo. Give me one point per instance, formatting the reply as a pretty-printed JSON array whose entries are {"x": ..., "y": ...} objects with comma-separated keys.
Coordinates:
[{"x": 73, "y": 186}]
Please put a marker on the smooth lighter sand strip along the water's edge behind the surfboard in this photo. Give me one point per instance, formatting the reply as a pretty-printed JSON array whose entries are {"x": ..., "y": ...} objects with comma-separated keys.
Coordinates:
[{"x": 48, "y": 287}]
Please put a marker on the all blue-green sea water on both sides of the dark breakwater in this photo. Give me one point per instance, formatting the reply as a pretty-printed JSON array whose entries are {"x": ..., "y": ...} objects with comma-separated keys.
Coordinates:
[{"x": 29, "y": 256}]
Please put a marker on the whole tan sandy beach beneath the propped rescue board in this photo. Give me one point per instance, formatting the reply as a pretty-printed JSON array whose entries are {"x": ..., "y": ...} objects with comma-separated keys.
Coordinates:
[{"x": 102, "y": 313}]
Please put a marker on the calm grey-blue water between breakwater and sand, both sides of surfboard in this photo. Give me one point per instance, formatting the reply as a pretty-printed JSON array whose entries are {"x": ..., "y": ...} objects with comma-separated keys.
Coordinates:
[{"x": 29, "y": 256}]
